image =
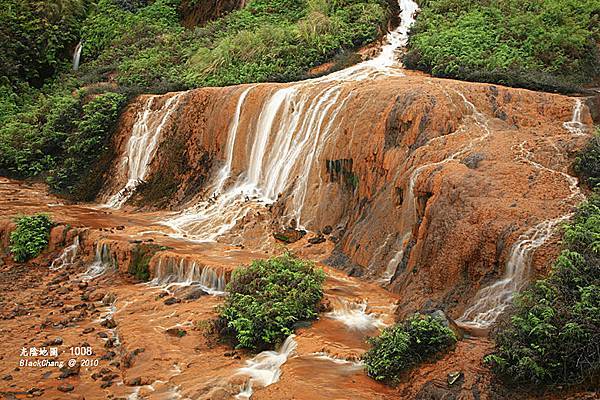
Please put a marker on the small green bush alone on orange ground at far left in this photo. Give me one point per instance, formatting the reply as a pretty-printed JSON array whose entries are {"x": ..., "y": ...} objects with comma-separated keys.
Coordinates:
[{"x": 30, "y": 237}]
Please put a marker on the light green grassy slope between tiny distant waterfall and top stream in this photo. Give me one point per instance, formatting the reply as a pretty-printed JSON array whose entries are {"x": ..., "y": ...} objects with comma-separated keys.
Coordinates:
[{"x": 267, "y": 40}]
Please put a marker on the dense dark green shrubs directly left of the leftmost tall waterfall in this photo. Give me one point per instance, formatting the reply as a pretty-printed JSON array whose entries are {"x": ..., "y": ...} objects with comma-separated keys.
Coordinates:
[{"x": 58, "y": 135}]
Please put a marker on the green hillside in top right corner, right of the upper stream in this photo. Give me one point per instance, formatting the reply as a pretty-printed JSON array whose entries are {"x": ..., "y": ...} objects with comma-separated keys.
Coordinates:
[{"x": 541, "y": 44}]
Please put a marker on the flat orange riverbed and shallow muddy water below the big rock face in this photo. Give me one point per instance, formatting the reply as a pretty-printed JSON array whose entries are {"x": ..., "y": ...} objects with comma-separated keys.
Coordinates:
[{"x": 160, "y": 351}]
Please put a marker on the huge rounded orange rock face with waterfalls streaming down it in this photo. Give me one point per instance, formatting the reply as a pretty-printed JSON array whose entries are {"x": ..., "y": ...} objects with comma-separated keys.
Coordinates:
[{"x": 428, "y": 182}]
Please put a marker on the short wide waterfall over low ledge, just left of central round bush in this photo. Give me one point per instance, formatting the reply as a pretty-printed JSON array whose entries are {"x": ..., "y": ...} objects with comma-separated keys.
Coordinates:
[{"x": 172, "y": 272}]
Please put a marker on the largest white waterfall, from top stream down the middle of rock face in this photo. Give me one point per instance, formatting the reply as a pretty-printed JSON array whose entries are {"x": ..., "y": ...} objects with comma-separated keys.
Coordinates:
[{"x": 294, "y": 124}]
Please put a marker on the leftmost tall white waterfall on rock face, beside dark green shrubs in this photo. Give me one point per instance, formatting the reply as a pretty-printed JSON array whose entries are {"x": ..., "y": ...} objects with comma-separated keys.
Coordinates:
[{"x": 142, "y": 145}]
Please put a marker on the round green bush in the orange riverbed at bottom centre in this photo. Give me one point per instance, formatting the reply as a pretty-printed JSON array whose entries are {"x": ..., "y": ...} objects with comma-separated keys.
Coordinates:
[{"x": 267, "y": 298}]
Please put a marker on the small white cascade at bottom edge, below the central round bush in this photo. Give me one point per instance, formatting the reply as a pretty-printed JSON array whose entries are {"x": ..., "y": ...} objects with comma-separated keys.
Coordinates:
[{"x": 265, "y": 368}]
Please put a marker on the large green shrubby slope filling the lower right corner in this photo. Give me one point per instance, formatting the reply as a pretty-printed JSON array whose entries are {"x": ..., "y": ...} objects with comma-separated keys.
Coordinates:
[{"x": 553, "y": 333}]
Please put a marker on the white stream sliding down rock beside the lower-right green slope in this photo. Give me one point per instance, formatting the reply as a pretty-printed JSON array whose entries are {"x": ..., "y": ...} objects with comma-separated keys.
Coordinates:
[{"x": 492, "y": 300}]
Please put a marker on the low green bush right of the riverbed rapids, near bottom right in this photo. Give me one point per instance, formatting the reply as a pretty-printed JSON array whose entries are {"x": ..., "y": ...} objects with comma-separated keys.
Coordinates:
[{"x": 405, "y": 345}]
